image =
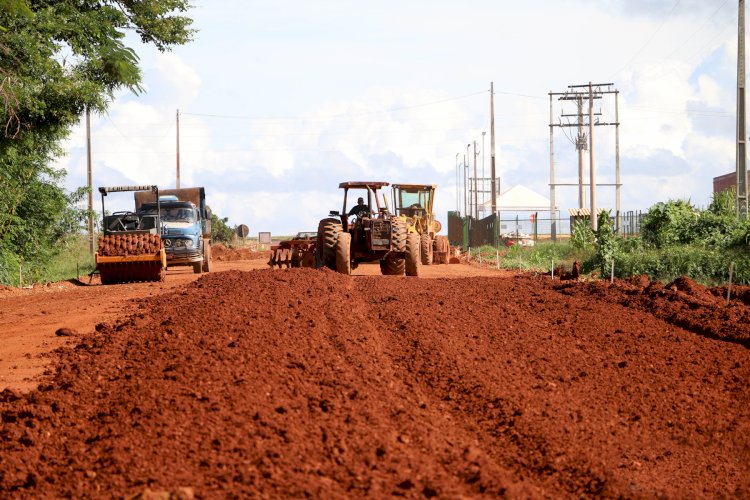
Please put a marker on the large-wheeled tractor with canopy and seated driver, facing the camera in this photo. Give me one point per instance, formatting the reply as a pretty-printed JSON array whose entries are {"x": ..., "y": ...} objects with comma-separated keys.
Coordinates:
[{"x": 366, "y": 232}]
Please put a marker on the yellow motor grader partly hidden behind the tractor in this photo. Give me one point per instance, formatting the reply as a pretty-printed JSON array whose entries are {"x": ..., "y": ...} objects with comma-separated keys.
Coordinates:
[{"x": 413, "y": 203}]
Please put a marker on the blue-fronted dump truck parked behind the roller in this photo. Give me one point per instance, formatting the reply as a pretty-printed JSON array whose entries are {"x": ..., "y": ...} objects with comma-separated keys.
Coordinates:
[{"x": 186, "y": 225}]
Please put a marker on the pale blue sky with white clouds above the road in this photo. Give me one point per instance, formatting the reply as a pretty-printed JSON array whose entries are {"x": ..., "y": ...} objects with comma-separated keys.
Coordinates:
[{"x": 281, "y": 101}]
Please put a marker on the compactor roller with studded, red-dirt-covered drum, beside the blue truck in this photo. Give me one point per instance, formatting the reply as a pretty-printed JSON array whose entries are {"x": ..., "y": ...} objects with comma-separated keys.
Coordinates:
[{"x": 130, "y": 246}]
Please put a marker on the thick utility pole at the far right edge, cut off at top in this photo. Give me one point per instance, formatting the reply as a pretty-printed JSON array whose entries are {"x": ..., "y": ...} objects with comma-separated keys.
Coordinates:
[{"x": 741, "y": 111}]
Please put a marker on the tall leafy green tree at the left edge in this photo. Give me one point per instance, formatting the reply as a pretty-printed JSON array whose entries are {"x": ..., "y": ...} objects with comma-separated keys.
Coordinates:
[{"x": 58, "y": 58}]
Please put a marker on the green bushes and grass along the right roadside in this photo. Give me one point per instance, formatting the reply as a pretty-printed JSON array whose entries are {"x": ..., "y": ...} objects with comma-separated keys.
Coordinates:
[{"x": 677, "y": 239}]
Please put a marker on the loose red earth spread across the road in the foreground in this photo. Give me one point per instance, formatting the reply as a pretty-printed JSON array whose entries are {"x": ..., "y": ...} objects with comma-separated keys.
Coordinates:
[{"x": 299, "y": 382}]
